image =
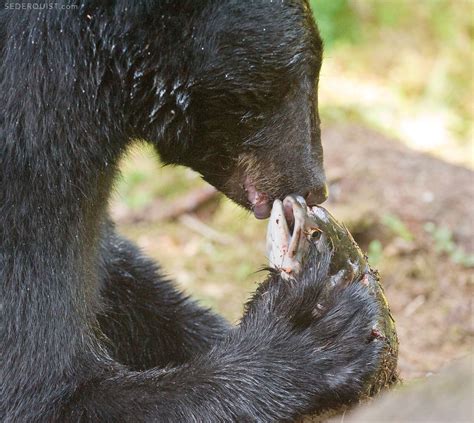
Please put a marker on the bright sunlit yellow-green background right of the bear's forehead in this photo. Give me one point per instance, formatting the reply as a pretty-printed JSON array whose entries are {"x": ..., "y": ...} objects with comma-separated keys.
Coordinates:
[{"x": 403, "y": 67}]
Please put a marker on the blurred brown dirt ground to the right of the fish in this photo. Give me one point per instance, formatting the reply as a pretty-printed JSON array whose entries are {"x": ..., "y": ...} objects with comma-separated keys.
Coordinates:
[{"x": 430, "y": 295}]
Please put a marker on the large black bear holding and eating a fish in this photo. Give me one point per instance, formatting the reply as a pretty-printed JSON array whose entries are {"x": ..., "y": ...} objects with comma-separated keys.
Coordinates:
[{"x": 89, "y": 329}]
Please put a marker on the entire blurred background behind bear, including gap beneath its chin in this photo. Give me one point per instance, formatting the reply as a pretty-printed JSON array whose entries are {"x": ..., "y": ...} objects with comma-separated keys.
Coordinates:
[{"x": 396, "y": 103}]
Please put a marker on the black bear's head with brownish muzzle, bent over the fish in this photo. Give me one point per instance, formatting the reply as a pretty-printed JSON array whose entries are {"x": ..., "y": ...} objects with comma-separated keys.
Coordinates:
[{"x": 229, "y": 89}]
